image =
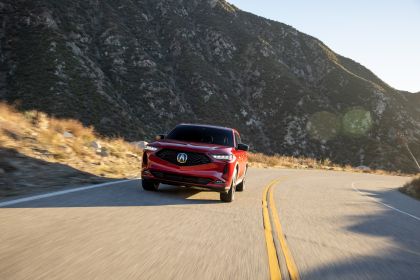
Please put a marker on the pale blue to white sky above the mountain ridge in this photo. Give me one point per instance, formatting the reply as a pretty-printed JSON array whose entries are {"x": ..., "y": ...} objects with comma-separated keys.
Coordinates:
[{"x": 382, "y": 35}]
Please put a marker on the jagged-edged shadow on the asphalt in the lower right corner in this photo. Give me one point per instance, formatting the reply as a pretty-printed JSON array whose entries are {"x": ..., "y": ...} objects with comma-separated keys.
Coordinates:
[{"x": 401, "y": 259}]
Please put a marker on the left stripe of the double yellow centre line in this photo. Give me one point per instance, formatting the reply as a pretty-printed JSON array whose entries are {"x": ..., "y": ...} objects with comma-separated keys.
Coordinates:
[{"x": 271, "y": 248}]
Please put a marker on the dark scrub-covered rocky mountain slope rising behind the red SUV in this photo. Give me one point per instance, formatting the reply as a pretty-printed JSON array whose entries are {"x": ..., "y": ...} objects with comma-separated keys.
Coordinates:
[{"x": 136, "y": 68}]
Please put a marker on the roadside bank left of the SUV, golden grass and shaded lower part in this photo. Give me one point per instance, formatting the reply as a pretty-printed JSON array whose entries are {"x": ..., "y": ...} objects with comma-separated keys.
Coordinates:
[{"x": 39, "y": 153}]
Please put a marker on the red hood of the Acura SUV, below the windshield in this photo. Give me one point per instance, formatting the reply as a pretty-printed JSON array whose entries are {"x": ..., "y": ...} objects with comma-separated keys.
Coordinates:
[{"x": 191, "y": 146}]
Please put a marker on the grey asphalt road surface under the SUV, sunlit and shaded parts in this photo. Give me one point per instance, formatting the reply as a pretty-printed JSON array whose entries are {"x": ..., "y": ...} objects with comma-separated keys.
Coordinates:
[{"x": 337, "y": 225}]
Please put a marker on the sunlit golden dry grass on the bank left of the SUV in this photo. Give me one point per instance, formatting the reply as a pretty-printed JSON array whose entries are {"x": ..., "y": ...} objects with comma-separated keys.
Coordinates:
[{"x": 36, "y": 135}]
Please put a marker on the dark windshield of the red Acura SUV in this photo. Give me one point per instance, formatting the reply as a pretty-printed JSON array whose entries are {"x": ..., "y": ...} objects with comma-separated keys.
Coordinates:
[{"x": 202, "y": 134}]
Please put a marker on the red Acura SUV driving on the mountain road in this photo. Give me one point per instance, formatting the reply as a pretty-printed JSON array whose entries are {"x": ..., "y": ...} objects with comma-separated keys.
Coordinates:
[{"x": 192, "y": 155}]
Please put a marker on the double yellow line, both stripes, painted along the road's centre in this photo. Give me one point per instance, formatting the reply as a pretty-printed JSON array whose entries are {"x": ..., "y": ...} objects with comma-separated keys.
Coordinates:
[{"x": 273, "y": 255}]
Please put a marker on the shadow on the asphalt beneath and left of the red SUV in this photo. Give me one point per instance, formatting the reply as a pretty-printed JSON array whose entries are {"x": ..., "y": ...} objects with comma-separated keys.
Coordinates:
[{"x": 124, "y": 194}]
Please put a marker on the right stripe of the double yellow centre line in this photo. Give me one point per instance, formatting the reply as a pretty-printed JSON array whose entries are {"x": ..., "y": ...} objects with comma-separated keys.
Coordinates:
[{"x": 290, "y": 263}]
